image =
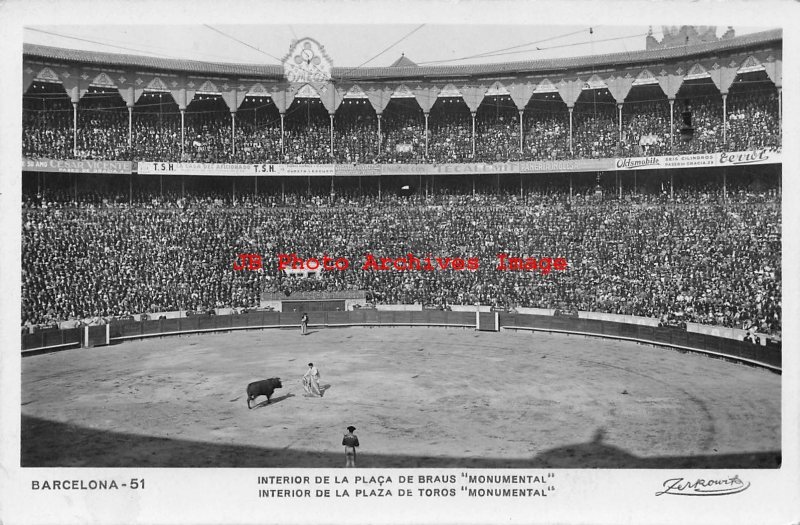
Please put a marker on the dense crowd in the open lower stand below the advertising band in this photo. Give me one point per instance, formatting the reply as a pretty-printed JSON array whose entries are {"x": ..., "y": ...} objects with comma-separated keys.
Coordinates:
[{"x": 691, "y": 259}]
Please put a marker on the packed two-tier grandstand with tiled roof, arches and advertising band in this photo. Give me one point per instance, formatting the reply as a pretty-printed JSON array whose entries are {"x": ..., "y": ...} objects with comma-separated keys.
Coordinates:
[{"x": 706, "y": 249}]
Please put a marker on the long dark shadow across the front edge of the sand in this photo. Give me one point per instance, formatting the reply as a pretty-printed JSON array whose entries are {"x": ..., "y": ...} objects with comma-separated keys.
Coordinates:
[{"x": 53, "y": 444}]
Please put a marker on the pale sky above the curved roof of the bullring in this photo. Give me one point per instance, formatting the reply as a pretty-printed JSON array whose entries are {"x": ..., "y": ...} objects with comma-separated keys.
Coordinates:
[{"x": 366, "y": 44}]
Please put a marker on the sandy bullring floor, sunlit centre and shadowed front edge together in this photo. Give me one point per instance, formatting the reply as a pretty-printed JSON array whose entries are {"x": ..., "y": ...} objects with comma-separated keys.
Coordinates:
[{"x": 420, "y": 397}]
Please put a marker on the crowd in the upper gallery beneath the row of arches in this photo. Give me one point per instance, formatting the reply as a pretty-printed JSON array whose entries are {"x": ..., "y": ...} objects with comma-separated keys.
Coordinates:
[{"x": 211, "y": 135}]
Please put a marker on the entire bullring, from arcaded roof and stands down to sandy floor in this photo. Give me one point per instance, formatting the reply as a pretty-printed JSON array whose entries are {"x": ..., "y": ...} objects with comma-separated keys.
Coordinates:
[{"x": 651, "y": 178}]
